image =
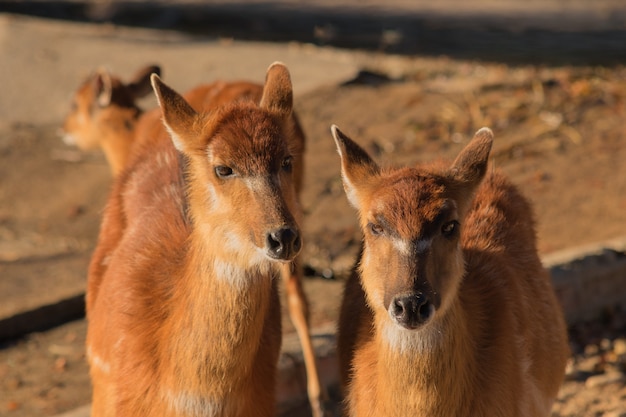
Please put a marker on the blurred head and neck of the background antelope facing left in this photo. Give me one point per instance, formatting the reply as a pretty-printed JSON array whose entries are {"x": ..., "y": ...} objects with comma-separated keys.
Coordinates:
[{"x": 105, "y": 114}]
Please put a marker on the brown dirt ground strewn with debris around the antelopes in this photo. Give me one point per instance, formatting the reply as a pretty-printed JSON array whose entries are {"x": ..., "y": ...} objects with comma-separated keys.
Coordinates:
[{"x": 559, "y": 135}]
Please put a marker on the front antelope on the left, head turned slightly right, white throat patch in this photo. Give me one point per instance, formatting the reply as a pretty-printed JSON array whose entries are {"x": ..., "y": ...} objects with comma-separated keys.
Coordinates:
[{"x": 182, "y": 304}]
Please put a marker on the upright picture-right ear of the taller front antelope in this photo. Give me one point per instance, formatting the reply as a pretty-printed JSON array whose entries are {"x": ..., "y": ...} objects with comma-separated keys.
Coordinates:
[{"x": 277, "y": 92}]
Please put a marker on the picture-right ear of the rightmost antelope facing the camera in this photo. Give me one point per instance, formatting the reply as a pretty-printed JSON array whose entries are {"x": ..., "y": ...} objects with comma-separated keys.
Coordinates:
[{"x": 470, "y": 165}]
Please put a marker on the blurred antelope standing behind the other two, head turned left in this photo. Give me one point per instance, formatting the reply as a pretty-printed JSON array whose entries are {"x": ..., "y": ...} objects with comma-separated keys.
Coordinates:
[{"x": 104, "y": 114}]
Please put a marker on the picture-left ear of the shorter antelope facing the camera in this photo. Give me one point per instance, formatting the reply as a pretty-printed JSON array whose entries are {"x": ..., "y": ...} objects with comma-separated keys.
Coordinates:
[{"x": 357, "y": 167}]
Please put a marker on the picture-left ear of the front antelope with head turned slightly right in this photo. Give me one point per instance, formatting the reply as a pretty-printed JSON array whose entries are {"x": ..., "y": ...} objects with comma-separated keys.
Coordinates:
[{"x": 179, "y": 117}]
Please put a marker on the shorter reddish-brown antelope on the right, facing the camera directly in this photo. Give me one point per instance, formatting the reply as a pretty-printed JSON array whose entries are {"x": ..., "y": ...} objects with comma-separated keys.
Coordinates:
[{"x": 449, "y": 311}]
